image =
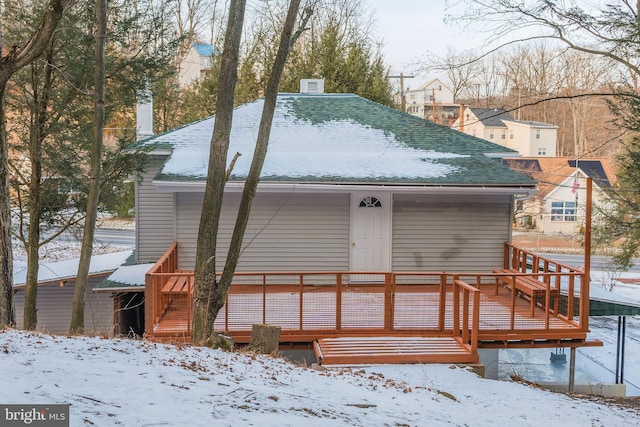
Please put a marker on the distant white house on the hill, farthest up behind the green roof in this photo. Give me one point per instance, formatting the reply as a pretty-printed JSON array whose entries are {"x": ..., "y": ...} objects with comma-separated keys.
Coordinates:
[{"x": 432, "y": 96}]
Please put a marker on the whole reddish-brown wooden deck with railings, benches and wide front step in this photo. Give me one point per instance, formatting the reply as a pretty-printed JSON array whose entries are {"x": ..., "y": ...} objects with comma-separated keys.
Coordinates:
[{"x": 401, "y": 317}]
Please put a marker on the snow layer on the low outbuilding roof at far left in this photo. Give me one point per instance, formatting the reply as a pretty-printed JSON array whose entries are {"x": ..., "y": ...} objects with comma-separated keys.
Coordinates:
[{"x": 61, "y": 270}]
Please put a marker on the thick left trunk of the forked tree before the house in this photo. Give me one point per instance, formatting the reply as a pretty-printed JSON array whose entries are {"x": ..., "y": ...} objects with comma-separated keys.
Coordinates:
[{"x": 204, "y": 311}]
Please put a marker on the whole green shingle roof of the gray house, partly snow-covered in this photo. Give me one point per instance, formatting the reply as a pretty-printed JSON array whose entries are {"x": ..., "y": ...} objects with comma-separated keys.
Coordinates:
[{"x": 337, "y": 137}]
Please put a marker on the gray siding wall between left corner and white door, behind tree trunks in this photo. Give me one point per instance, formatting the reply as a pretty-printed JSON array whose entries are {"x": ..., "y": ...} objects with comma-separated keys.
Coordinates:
[{"x": 286, "y": 232}]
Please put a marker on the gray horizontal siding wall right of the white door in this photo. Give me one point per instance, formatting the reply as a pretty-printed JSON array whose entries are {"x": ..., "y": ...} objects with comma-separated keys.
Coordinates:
[{"x": 434, "y": 233}]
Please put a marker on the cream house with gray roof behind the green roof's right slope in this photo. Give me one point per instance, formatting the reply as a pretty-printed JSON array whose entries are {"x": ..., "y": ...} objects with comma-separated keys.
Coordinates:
[{"x": 529, "y": 138}]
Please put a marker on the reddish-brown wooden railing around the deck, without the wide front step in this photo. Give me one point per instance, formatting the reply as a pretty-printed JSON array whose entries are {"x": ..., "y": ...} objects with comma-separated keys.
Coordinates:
[{"x": 472, "y": 307}]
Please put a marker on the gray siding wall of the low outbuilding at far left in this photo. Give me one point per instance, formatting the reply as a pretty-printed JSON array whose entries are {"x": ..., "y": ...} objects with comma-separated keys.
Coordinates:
[{"x": 54, "y": 304}]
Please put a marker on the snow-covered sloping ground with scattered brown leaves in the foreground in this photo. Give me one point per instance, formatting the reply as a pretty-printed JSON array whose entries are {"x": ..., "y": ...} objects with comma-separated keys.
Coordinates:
[{"x": 110, "y": 382}]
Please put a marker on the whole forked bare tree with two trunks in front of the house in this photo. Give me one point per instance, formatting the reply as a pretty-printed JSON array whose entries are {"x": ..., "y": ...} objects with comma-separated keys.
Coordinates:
[{"x": 210, "y": 293}]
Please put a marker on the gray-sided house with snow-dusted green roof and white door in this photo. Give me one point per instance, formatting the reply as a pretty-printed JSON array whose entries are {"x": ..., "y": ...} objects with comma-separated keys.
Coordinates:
[{"x": 347, "y": 185}]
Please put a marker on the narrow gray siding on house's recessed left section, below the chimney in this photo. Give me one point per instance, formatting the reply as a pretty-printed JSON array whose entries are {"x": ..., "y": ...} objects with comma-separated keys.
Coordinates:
[{"x": 154, "y": 216}]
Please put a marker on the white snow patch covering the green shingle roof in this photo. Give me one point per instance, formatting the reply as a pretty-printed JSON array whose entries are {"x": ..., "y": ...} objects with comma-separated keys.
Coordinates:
[{"x": 307, "y": 149}]
